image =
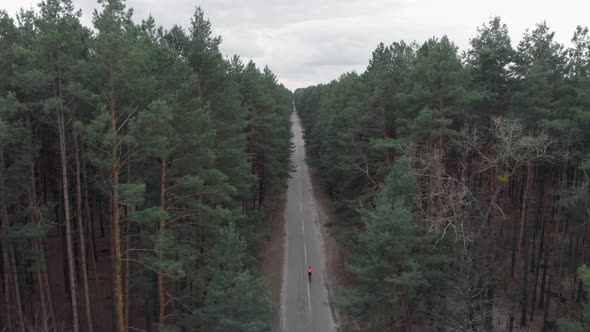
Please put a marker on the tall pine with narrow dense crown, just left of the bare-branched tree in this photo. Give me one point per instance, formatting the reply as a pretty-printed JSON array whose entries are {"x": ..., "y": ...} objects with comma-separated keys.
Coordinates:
[{"x": 439, "y": 96}]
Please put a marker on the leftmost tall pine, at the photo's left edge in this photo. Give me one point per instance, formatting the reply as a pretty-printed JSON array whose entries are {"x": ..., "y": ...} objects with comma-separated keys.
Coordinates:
[{"x": 25, "y": 87}]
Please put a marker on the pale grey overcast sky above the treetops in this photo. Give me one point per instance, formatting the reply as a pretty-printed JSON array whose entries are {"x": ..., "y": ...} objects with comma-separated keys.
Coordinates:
[{"x": 307, "y": 42}]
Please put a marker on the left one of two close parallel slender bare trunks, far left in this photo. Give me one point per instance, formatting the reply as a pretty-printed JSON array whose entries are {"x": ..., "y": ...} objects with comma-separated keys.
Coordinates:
[{"x": 67, "y": 220}]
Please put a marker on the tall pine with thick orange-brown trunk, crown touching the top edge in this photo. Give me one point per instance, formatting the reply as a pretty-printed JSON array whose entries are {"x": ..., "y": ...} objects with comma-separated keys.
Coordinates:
[{"x": 124, "y": 87}]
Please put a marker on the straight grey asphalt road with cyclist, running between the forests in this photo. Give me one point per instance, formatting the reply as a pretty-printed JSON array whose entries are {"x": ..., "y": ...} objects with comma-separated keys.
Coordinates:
[{"x": 304, "y": 304}]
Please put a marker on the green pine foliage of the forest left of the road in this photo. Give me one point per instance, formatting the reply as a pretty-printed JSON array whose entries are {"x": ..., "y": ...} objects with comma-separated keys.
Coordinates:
[{"x": 197, "y": 145}]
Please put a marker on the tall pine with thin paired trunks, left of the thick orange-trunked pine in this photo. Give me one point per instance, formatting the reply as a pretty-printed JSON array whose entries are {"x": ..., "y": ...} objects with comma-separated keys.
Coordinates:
[{"x": 62, "y": 44}]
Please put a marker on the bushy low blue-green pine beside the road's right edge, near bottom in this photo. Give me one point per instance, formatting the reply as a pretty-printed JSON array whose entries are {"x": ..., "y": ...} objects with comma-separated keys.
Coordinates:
[{"x": 395, "y": 257}]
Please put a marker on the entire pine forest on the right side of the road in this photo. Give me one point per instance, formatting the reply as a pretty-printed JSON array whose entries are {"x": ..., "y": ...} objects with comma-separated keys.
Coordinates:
[{"x": 460, "y": 180}]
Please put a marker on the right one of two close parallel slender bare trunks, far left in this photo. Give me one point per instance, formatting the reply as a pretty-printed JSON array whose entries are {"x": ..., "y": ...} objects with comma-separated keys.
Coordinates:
[{"x": 81, "y": 235}]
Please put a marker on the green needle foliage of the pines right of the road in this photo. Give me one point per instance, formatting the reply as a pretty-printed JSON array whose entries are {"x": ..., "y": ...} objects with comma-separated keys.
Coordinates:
[{"x": 416, "y": 101}]
